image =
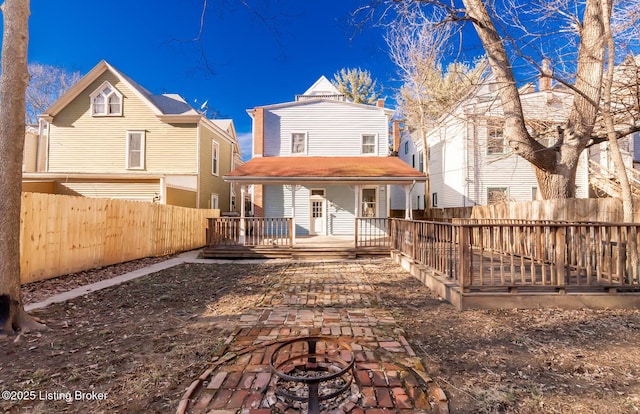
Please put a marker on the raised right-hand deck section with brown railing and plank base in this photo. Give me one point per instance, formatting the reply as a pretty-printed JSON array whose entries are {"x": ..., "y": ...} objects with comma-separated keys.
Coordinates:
[{"x": 499, "y": 264}]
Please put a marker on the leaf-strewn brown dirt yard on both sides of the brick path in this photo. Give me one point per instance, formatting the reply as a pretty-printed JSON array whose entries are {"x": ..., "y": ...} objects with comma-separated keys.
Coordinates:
[{"x": 133, "y": 348}]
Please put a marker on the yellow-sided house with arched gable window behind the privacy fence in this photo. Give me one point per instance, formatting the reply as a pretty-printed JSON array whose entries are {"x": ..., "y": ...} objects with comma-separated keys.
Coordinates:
[{"x": 109, "y": 137}]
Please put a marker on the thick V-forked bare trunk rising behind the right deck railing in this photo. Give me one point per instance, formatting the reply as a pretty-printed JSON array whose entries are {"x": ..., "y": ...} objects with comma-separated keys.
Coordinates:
[{"x": 556, "y": 166}]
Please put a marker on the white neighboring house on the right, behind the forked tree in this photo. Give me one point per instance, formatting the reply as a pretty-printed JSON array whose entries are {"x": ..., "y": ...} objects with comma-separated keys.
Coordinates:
[{"x": 469, "y": 160}]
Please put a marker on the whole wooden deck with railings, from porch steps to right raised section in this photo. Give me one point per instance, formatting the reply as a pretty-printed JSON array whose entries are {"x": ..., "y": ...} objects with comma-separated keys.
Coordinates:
[{"x": 470, "y": 263}]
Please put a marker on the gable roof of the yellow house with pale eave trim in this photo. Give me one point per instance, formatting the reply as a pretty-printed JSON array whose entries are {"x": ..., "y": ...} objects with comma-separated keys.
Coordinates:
[{"x": 165, "y": 104}]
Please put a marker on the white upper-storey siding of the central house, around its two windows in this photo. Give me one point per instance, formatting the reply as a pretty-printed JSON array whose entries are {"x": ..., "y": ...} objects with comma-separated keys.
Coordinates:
[{"x": 333, "y": 128}]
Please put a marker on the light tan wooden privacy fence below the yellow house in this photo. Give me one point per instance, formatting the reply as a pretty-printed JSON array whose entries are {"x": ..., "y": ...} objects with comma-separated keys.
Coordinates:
[{"x": 65, "y": 234}]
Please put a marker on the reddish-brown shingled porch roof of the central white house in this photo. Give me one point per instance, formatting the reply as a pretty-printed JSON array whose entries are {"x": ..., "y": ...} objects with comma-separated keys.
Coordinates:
[{"x": 389, "y": 170}]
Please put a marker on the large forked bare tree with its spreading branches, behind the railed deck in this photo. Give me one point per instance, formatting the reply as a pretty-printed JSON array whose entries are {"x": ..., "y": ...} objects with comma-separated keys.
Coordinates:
[{"x": 574, "y": 34}]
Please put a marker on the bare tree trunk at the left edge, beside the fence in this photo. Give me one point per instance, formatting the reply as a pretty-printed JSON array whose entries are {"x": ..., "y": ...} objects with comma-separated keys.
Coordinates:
[{"x": 14, "y": 81}]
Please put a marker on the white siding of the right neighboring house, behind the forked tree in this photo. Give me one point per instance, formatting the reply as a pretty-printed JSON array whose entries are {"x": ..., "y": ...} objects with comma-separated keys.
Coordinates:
[{"x": 460, "y": 169}]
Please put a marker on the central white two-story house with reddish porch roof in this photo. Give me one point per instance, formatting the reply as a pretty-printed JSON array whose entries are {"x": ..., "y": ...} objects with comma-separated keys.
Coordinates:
[{"x": 322, "y": 161}]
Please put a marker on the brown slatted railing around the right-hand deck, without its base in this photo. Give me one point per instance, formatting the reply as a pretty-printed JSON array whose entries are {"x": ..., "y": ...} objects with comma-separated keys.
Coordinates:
[{"x": 514, "y": 254}]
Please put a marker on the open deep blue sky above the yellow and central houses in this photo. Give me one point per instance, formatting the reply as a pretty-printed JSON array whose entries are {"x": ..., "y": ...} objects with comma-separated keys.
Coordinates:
[{"x": 258, "y": 56}]
